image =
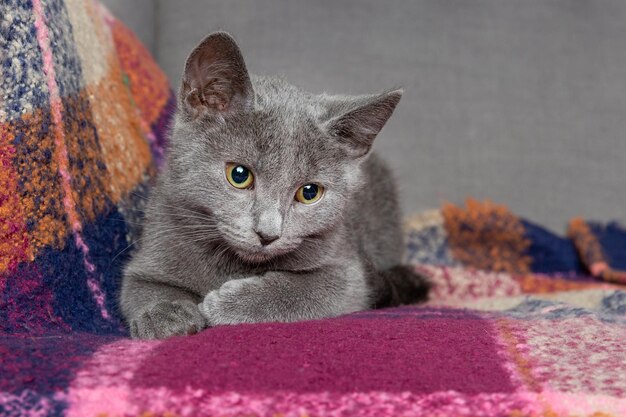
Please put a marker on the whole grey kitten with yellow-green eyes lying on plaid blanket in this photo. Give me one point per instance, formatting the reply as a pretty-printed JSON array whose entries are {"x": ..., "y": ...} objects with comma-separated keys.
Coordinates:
[{"x": 271, "y": 206}]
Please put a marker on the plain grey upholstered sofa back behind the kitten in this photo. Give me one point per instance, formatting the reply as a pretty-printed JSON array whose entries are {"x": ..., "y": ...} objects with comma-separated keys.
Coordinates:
[{"x": 519, "y": 101}]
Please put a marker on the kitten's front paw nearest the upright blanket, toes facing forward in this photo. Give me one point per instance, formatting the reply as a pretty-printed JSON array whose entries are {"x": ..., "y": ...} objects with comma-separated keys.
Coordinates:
[{"x": 166, "y": 319}]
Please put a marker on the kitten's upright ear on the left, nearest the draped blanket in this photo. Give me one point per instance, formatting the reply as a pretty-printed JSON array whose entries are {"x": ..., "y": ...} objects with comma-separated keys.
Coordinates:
[{"x": 216, "y": 81}]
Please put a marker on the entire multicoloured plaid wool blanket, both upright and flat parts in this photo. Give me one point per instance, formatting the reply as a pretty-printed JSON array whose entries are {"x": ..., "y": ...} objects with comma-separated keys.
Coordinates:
[{"x": 522, "y": 322}]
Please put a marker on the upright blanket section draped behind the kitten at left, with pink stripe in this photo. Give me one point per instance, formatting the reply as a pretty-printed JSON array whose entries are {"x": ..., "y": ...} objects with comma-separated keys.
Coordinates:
[{"x": 83, "y": 112}]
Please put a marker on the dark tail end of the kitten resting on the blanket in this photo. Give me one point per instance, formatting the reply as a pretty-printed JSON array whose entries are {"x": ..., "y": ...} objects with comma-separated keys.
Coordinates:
[{"x": 399, "y": 285}]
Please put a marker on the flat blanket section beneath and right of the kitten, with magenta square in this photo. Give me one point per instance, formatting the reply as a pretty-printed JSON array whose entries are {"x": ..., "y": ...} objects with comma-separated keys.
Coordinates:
[{"x": 529, "y": 333}]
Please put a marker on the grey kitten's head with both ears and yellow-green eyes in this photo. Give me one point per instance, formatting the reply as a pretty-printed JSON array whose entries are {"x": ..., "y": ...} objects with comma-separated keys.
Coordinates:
[{"x": 273, "y": 165}]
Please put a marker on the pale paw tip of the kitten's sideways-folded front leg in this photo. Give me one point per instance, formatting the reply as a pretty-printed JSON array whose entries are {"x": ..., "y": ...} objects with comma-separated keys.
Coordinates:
[{"x": 231, "y": 303}]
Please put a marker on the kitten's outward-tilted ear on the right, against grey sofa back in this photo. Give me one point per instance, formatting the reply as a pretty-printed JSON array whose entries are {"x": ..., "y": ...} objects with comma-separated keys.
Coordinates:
[{"x": 355, "y": 122}]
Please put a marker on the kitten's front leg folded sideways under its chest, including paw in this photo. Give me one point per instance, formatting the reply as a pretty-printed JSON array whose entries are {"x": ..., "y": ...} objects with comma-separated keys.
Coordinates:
[{"x": 287, "y": 296}]
